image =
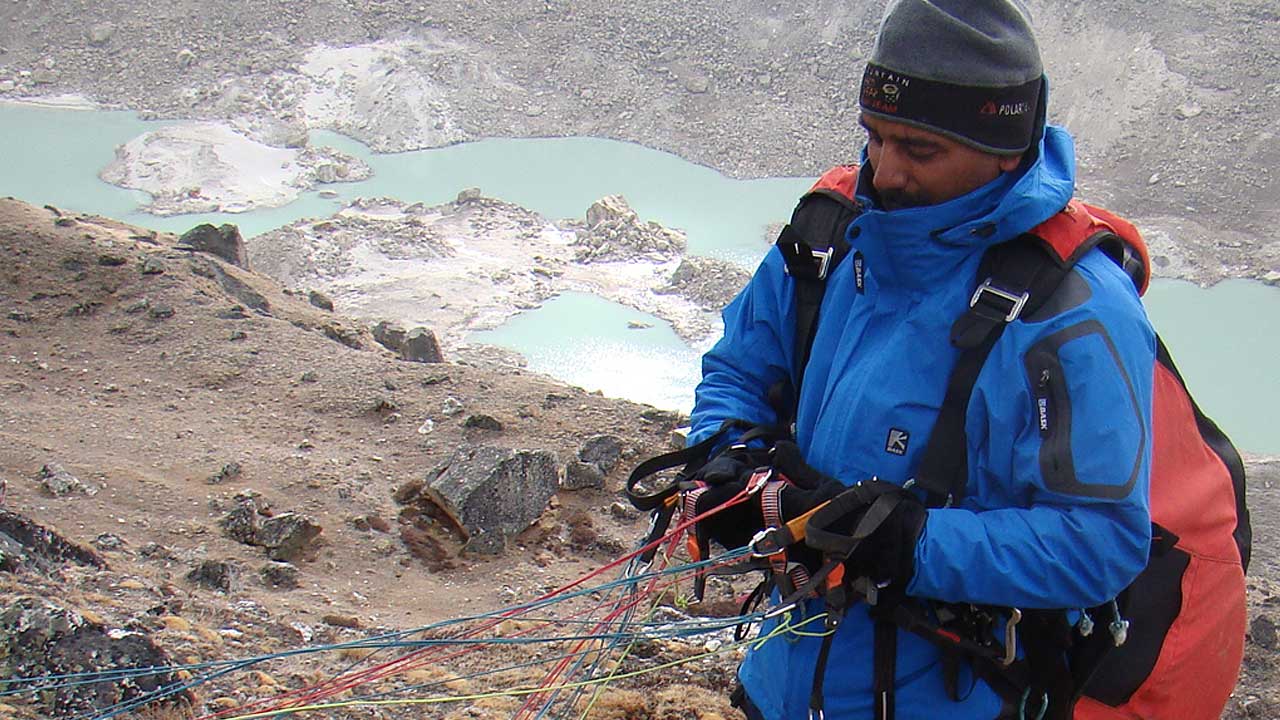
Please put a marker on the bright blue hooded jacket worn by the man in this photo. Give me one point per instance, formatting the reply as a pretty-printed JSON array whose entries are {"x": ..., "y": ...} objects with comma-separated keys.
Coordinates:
[{"x": 1054, "y": 517}]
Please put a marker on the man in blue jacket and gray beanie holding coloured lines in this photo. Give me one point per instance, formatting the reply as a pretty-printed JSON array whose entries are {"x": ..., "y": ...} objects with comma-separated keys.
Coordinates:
[{"x": 1055, "y": 514}]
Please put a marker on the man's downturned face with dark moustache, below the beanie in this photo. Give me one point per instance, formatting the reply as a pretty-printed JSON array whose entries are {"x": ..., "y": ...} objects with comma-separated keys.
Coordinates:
[{"x": 916, "y": 167}]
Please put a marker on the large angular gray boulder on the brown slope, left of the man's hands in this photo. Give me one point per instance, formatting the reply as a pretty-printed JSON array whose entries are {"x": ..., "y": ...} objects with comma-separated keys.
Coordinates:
[{"x": 491, "y": 494}]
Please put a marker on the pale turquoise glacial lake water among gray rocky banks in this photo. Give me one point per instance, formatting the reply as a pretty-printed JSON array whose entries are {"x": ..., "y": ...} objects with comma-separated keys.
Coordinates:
[{"x": 1226, "y": 340}]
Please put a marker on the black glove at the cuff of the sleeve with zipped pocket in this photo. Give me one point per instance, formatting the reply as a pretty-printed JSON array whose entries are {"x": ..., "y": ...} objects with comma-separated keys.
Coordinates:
[{"x": 874, "y": 527}]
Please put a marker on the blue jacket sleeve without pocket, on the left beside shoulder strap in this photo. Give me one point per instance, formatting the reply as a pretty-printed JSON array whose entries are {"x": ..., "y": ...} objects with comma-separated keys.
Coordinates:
[{"x": 753, "y": 356}]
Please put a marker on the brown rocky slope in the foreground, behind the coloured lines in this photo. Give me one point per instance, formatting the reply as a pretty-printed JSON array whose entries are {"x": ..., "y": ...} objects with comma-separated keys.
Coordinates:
[{"x": 200, "y": 467}]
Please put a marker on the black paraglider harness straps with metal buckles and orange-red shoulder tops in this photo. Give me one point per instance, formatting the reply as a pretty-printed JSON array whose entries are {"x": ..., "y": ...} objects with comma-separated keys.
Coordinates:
[{"x": 1060, "y": 651}]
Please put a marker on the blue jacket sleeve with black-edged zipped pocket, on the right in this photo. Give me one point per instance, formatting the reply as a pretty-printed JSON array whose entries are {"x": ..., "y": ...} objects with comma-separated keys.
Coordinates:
[{"x": 1066, "y": 457}]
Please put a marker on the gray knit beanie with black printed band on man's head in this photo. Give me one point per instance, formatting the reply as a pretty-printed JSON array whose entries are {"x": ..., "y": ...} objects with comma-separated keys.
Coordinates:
[{"x": 970, "y": 70}]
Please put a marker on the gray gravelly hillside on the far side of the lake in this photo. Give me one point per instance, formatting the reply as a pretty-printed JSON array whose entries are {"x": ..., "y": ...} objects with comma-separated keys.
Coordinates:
[{"x": 1177, "y": 129}]
